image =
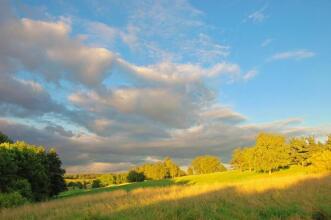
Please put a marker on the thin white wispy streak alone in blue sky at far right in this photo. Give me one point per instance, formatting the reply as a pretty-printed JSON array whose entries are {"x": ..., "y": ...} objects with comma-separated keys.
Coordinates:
[{"x": 293, "y": 55}]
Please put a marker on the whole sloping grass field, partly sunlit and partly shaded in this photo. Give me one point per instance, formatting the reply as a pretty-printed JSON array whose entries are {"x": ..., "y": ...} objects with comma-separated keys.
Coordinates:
[{"x": 289, "y": 194}]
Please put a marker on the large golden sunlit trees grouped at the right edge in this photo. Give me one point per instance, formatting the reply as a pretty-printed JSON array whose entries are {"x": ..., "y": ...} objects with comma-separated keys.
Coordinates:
[{"x": 273, "y": 152}]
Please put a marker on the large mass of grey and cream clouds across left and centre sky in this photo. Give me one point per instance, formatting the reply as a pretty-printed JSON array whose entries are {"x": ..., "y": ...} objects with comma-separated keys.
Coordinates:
[{"x": 163, "y": 108}]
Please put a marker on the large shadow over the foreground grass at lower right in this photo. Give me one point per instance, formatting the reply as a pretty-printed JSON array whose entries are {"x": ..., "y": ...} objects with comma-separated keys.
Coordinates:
[{"x": 306, "y": 199}]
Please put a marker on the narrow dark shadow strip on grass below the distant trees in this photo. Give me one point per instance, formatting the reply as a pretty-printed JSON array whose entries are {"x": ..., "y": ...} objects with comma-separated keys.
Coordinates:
[{"x": 126, "y": 187}]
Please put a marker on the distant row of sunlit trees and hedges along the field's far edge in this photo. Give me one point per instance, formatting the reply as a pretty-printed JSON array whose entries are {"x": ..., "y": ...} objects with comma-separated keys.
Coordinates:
[{"x": 165, "y": 169}]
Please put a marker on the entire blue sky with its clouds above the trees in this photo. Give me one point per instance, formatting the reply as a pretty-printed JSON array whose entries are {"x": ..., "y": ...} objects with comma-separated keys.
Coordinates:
[{"x": 112, "y": 84}]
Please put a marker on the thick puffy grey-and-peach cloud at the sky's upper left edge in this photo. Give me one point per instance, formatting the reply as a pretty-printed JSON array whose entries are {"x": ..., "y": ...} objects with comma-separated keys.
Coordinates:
[{"x": 49, "y": 50}]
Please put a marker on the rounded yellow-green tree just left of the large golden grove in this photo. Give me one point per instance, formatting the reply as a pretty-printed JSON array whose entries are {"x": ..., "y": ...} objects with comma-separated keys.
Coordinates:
[{"x": 207, "y": 164}]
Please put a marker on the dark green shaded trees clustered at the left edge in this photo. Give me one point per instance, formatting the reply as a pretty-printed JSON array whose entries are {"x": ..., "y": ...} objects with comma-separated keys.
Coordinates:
[{"x": 29, "y": 172}]
